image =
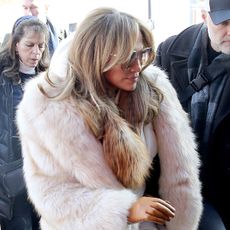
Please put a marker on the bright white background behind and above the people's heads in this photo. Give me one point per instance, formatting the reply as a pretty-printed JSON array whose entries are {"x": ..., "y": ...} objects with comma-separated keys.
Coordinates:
[{"x": 169, "y": 16}]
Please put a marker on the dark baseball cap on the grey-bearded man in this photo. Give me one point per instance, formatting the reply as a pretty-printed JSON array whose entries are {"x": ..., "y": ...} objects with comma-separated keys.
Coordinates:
[{"x": 219, "y": 10}]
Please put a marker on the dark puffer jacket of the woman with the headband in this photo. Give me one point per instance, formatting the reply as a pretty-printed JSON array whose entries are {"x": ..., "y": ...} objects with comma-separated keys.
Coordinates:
[{"x": 11, "y": 176}]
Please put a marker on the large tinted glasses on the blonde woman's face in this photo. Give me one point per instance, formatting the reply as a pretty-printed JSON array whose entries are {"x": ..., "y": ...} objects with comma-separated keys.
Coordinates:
[{"x": 142, "y": 56}]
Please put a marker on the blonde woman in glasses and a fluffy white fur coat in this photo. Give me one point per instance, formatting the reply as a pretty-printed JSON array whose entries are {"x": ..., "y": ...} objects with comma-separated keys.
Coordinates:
[{"x": 100, "y": 116}]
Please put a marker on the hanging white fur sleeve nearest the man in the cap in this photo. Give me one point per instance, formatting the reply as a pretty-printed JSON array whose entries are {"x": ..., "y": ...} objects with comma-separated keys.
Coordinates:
[{"x": 179, "y": 181}]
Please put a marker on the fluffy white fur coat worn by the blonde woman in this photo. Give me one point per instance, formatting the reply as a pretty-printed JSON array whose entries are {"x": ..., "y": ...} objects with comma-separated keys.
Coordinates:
[{"x": 70, "y": 183}]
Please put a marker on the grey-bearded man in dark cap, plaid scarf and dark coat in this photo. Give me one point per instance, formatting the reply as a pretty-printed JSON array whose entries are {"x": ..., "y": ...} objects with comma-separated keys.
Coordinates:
[{"x": 198, "y": 64}]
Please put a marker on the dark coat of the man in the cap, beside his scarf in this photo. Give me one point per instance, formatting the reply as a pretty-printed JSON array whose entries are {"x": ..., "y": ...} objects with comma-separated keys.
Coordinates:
[{"x": 172, "y": 56}]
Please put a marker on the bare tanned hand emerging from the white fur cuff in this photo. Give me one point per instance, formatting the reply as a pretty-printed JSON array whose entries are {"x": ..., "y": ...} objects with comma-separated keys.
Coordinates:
[{"x": 151, "y": 209}]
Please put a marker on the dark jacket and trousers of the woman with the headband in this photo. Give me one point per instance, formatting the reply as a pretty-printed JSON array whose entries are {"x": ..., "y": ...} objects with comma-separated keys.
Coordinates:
[{"x": 13, "y": 195}]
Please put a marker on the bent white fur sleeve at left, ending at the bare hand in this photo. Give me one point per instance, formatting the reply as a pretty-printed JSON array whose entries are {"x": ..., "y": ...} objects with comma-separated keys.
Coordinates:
[{"x": 67, "y": 178}]
